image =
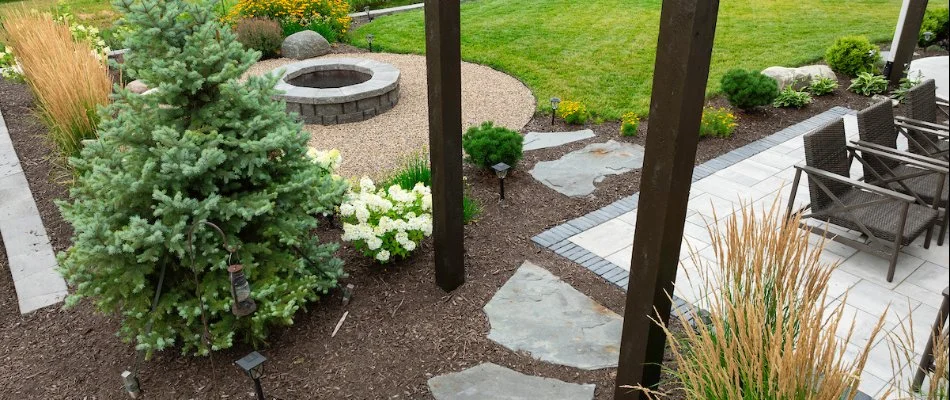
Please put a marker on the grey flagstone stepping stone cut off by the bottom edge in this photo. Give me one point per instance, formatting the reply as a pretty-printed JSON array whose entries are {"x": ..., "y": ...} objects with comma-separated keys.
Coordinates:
[{"x": 493, "y": 382}]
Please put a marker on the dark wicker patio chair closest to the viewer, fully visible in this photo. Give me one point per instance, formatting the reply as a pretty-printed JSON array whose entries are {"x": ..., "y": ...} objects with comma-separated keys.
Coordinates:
[{"x": 889, "y": 220}]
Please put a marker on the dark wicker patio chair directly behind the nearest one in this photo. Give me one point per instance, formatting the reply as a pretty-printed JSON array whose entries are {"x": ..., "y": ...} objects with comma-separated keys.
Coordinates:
[{"x": 924, "y": 178}]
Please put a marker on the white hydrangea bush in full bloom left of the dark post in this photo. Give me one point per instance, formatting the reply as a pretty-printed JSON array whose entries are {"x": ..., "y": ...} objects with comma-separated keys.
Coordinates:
[{"x": 389, "y": 222}]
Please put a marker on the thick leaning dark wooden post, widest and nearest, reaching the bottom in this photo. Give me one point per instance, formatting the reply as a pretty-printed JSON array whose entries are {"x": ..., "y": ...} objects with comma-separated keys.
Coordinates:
[{"x": 684, "y": 48}]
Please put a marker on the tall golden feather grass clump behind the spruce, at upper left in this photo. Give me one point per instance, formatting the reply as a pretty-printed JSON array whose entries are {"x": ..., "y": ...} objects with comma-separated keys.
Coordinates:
[{"x": 67, "y": 79}]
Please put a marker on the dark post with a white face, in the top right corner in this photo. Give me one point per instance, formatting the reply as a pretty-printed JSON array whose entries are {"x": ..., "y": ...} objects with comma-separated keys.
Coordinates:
[{"x": 905, "y": 39}]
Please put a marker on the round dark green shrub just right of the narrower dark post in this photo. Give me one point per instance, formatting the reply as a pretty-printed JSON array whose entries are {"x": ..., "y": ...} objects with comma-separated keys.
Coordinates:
[{"x": 487, "y": 145}]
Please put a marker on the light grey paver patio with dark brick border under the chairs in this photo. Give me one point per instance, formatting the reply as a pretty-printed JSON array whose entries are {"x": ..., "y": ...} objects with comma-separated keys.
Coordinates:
[{"x": 757, "y": 173}]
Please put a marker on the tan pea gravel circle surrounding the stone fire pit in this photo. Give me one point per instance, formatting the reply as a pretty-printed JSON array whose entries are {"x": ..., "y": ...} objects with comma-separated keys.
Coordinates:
[{"x": 378, "y": 145}]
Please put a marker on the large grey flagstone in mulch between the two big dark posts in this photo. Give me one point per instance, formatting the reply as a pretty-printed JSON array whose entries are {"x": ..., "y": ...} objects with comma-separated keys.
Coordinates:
[{"x": 538, "y": 313}]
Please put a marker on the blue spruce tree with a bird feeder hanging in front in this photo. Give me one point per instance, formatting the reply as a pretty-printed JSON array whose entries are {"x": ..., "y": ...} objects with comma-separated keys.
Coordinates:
[{"x": 203, "y": 147}]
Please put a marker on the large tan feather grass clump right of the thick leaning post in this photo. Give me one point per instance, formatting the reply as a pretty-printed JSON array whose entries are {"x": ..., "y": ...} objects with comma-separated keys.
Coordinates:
[{"x": 768, "y": 334}]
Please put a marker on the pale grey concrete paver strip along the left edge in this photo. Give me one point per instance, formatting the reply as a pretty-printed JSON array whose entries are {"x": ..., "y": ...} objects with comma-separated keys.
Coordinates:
[{"x": 31, "y": 258}]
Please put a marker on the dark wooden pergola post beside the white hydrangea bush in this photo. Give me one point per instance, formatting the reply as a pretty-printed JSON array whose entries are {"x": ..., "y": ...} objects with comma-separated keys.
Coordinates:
[{"x": 444, "y": 73}]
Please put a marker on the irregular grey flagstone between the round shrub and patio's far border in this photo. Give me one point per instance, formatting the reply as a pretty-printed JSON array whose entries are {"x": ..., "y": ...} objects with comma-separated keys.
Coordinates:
[{"x": 575, "y": 173}]
